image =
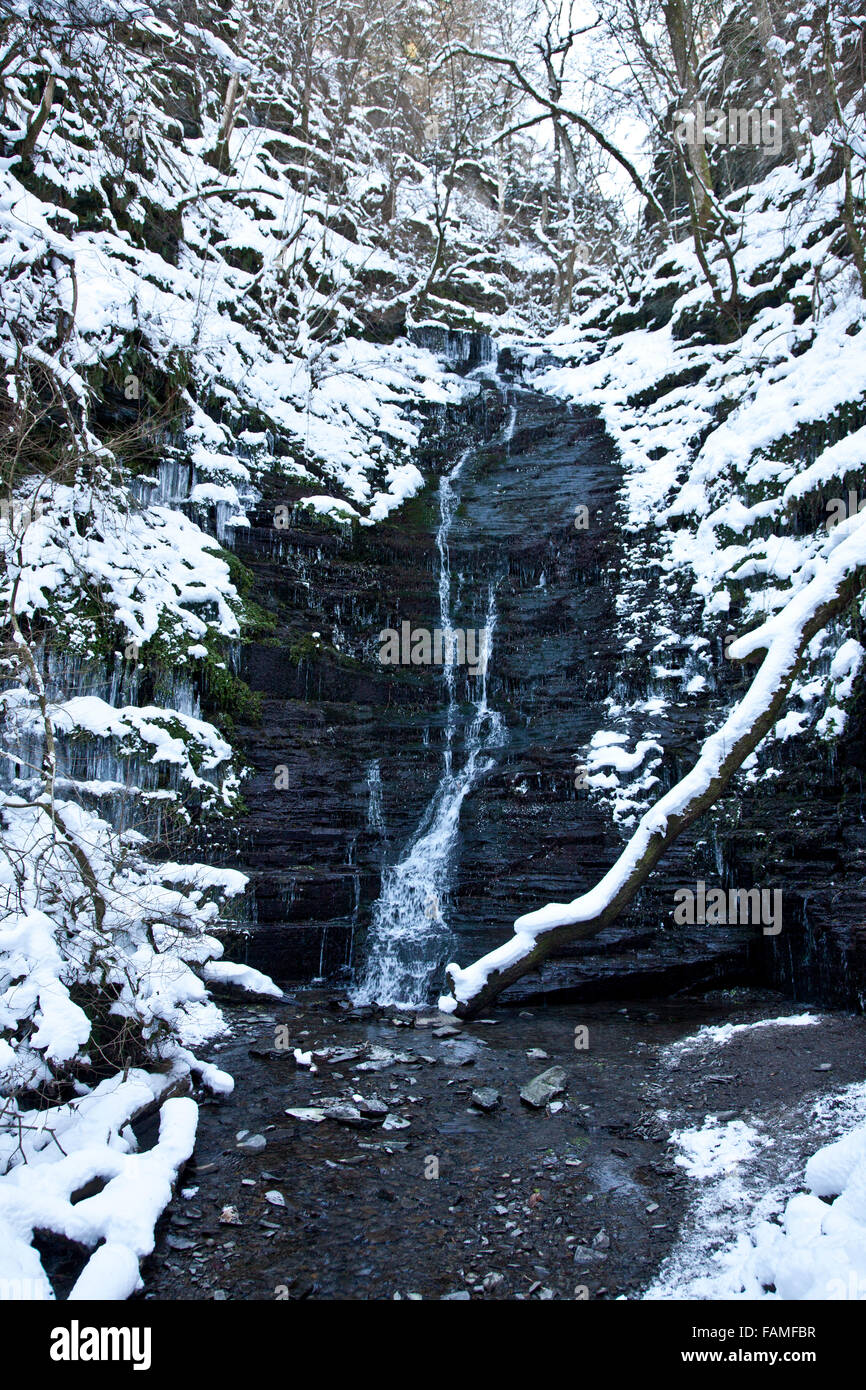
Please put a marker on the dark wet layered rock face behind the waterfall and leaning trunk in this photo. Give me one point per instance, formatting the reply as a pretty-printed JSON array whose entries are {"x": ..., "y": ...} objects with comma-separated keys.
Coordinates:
[{"x": 348, "y": 753}]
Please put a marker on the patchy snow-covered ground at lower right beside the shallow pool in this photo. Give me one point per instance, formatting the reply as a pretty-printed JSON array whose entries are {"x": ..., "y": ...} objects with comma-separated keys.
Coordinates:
[{"x": 779, "y": 1204}]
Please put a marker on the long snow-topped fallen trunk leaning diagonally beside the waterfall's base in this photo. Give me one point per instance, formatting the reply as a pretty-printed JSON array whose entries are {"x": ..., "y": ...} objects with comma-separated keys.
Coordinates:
[{"x": 782, "y": 641}]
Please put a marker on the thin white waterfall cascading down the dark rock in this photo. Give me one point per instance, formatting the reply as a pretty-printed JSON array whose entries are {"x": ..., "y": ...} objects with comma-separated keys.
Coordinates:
[{"x": 409, "y": 940}]
